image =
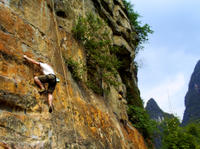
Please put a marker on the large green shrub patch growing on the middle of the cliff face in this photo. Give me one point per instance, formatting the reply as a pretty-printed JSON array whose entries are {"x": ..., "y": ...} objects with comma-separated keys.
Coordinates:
[{"x": 102, "y": 63}]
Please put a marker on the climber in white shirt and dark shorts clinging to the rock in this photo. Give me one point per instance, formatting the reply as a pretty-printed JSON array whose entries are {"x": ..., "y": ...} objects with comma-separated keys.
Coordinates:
[{"x": 47, "y": 77}]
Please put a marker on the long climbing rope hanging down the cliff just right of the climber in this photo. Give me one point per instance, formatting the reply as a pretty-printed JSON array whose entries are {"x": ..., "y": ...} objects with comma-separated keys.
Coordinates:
[{"x": 64, "y": 71}]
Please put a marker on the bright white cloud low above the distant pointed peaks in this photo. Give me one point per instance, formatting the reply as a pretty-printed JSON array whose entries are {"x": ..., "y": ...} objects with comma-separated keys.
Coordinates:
[{"x": 166, "y": 91}]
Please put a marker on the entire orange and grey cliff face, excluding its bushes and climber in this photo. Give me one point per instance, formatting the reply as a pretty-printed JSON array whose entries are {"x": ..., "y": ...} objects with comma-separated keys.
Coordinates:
[{"x": 81, "y": 119}]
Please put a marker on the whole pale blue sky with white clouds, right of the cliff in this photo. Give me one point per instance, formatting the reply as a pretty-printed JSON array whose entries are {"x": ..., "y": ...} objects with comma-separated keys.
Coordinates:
[{"x": 171, "y": 53}]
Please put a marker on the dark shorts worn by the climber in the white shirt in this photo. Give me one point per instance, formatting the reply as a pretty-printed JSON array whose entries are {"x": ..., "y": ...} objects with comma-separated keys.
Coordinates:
[{"x": 50, "y": 79}]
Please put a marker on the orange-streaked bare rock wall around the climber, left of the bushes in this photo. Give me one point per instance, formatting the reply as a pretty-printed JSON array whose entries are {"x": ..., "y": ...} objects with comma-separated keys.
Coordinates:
[{"x": 80, "y": 119}]
